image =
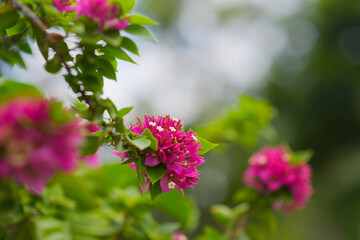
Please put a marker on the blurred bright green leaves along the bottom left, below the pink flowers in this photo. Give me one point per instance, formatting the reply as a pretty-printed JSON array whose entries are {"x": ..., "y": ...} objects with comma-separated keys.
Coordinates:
[{"x": 104, "y": 203}]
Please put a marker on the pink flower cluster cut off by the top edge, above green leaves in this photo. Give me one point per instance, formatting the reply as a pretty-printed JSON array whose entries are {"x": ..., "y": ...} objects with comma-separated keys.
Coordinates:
[{"x": 100, "y": 11}]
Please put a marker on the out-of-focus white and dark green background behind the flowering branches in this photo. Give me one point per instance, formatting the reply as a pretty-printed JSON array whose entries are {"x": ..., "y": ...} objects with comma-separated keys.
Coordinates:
[{"x": 301, "y": 55}]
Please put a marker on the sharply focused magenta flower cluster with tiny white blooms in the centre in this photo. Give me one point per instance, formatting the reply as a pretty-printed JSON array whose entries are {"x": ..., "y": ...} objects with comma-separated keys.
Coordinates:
[{"x": 176, "y": 150}]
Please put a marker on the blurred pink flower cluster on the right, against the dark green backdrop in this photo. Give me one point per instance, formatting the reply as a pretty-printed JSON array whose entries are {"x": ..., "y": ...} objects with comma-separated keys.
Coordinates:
[{"x": 271, "y": 170}]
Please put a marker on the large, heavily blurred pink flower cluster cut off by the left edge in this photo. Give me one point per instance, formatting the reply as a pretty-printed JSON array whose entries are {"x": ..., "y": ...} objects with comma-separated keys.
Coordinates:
[{"x": 33, "y": 146}]
